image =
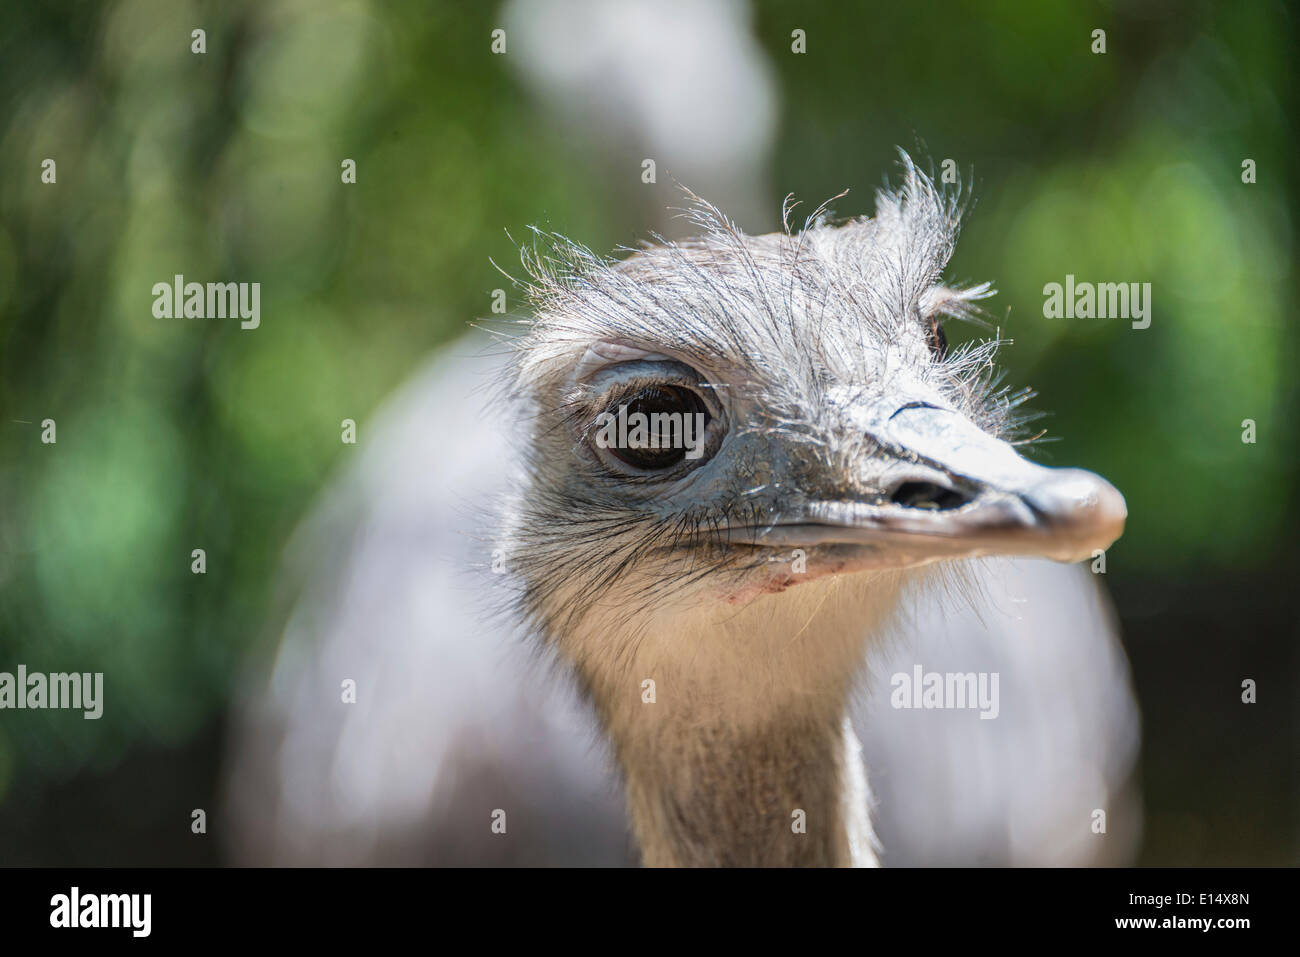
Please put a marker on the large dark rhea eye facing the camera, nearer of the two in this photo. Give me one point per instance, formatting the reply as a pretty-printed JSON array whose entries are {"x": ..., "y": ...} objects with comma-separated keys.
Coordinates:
[{"x": 656, "y": 428}]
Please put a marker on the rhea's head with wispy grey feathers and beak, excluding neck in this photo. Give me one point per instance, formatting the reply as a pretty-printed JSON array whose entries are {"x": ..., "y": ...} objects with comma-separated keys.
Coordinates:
[{"x": 840, "y": 434}]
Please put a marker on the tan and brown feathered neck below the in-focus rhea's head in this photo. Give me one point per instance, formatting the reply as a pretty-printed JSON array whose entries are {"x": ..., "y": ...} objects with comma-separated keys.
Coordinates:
[{"x": 740, "y": 752}]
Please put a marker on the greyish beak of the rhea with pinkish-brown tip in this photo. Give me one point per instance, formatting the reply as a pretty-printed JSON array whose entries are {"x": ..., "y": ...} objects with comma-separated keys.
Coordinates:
[{"x": 952, "y": 491}]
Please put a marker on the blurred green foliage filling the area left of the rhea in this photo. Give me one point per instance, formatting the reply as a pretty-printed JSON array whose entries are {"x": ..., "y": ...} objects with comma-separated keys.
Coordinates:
[{"x": 175, "y": 436}]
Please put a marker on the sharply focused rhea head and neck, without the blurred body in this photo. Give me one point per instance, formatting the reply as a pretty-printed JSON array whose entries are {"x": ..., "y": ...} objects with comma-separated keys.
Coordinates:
[{"x": 850, "y": 458}]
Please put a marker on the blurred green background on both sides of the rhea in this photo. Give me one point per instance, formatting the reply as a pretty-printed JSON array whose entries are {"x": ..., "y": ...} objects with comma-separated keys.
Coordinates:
[{"x": 226, "y": 166}]
